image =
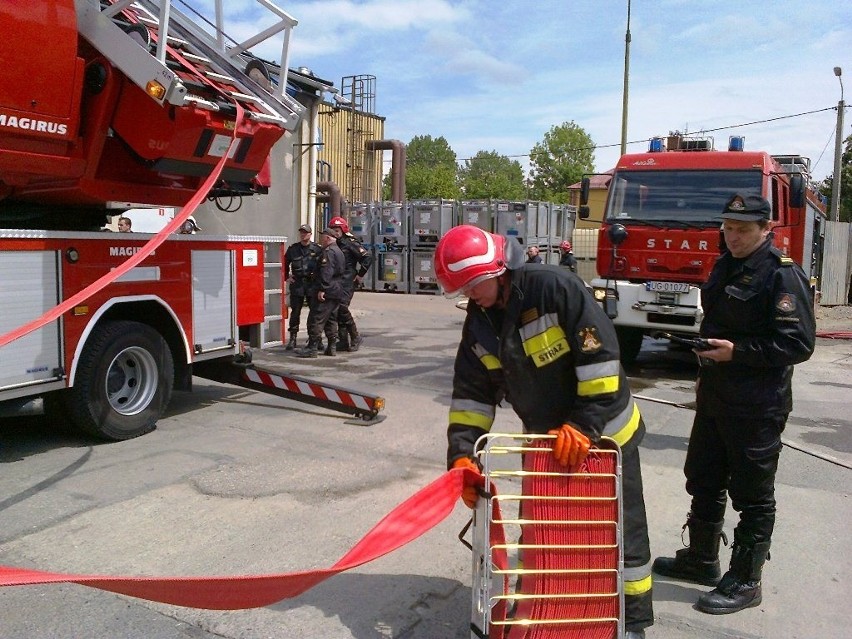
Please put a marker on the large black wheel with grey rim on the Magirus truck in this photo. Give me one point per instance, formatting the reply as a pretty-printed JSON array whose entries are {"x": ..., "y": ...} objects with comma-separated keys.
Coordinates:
[{"x": 123, "y": 383}]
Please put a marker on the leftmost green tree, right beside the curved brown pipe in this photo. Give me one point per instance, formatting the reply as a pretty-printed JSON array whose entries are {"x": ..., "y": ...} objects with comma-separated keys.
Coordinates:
[{"x": 431, "y": 170}]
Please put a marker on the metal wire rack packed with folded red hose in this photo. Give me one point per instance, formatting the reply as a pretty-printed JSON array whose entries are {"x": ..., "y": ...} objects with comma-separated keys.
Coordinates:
[{"x": 547, "y": 545}]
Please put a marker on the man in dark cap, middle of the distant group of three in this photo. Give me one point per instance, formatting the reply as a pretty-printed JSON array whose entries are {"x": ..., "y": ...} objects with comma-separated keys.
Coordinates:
[{"x": 322, "y": 317}]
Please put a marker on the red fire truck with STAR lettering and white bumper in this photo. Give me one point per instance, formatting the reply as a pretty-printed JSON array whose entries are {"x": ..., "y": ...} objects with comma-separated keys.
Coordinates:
[{"x": 660, "y": 234}]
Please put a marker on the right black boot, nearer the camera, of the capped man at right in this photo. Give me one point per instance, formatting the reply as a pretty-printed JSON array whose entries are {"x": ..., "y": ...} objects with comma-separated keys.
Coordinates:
[{"x": 740, "y": 587}]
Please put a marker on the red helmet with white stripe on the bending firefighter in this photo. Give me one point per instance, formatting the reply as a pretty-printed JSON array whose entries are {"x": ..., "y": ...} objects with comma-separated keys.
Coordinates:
[{"x": 467, "y": 255}]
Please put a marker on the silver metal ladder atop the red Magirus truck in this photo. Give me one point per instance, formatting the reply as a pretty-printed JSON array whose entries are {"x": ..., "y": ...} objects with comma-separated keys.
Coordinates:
[{"x": 181, "y": 61}]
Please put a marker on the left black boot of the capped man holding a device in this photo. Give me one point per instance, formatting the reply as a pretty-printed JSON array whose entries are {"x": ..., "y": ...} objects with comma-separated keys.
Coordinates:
[{"x": 699, "y": 562}]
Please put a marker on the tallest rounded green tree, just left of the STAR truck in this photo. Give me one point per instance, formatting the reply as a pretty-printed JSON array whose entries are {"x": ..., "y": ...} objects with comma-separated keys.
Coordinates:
[{"x": 560, "y": 160}]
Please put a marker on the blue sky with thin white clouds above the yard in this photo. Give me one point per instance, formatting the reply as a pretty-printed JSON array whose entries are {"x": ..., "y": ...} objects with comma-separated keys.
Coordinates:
[{"x": 496, "y": 75}]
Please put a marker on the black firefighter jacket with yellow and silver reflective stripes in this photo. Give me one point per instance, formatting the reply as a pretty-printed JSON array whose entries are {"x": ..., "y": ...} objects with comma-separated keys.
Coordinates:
[{"x": 552, "y": 353}]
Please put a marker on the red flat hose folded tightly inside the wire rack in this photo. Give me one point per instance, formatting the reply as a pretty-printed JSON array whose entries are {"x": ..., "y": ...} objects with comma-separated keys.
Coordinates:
[{"x": 570, "y": 550}]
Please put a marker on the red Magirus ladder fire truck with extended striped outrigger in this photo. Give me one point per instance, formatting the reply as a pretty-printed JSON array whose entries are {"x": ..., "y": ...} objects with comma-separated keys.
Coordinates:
[{"x": 133, "y": 101}]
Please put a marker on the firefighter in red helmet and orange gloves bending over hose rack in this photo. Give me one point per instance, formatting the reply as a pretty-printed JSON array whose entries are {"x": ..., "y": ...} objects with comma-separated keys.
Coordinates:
[{"x": 535, "y": 337}]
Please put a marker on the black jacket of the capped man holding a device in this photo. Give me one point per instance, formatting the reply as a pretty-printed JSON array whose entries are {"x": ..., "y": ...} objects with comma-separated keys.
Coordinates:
[{"x": 763, "y": 305}]
